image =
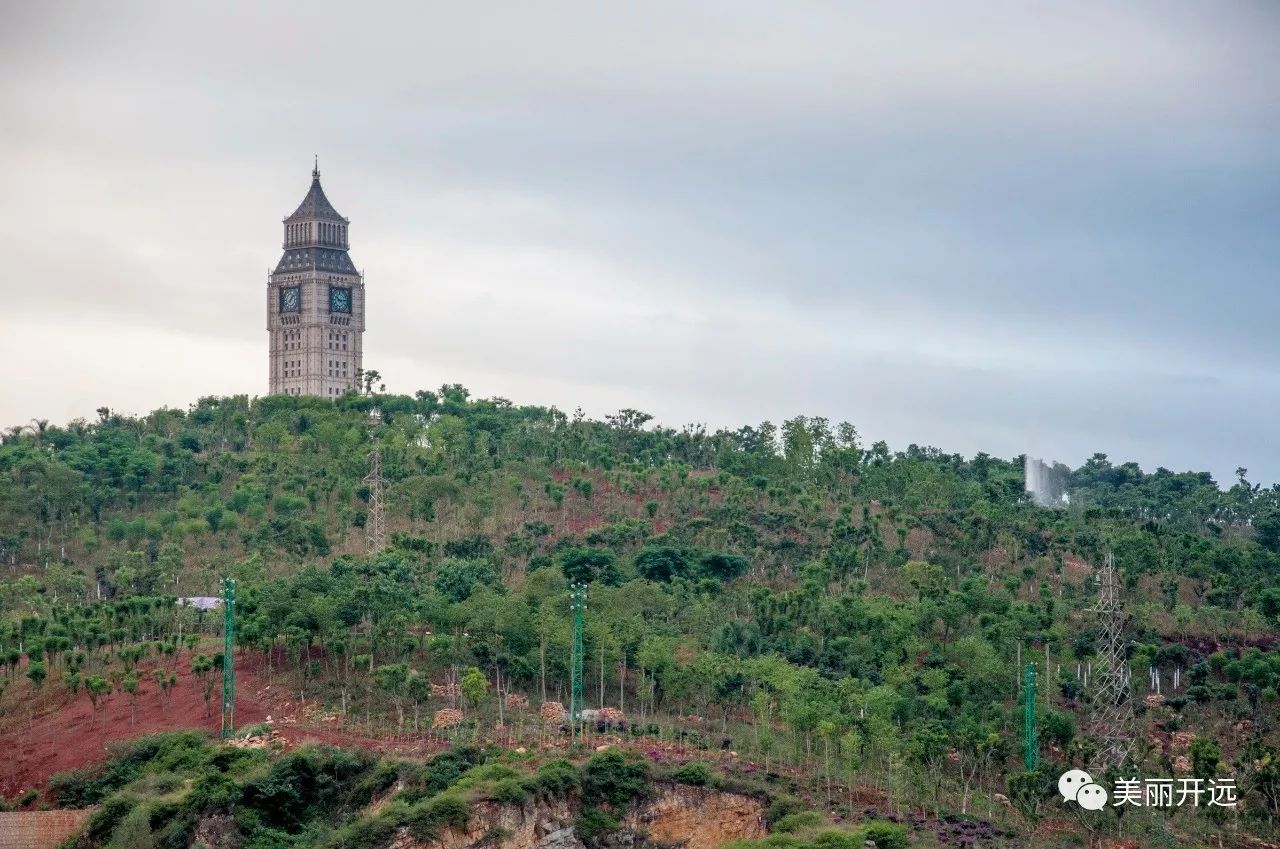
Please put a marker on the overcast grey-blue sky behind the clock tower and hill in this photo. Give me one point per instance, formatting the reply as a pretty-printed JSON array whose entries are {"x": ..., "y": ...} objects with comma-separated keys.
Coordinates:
[{"x": 1016, "y": 227}]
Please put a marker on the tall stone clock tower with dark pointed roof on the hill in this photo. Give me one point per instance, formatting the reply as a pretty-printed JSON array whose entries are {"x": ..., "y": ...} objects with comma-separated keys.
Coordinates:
[{"x": 316, "y": 304}]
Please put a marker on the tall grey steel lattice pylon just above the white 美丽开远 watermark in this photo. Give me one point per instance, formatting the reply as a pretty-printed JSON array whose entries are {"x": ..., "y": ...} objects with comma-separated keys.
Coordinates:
[{"x": 1113, "y": 720}]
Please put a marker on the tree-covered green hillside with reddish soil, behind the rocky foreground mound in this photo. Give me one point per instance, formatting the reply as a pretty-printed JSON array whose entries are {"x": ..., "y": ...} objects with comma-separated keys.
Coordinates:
[{"x": 794, "y": 602}]
